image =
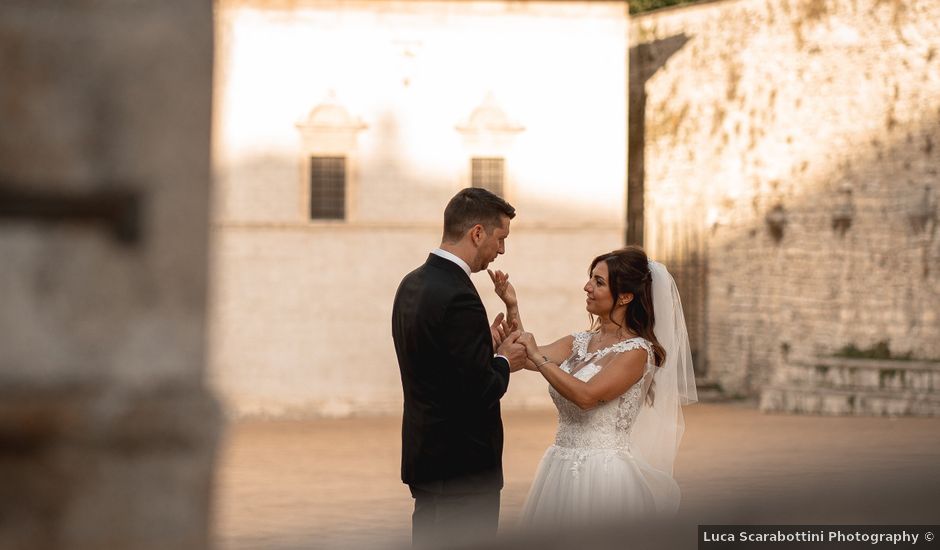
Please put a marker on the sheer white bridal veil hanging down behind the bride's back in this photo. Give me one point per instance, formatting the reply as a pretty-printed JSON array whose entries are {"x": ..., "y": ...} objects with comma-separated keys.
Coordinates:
[{"x": 658, "y": 428}]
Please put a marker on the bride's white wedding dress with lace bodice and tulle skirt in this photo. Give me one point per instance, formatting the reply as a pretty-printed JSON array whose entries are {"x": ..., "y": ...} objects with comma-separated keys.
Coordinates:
[{"x": 591, "y": 474}]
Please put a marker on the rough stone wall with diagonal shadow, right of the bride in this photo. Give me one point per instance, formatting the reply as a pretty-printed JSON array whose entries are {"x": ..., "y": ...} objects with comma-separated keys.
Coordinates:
[{"x": 792, "y": 150}]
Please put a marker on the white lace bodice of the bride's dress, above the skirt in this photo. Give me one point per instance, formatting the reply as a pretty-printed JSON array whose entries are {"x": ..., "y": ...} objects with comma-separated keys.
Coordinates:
[{"x": 608, "y": 425}]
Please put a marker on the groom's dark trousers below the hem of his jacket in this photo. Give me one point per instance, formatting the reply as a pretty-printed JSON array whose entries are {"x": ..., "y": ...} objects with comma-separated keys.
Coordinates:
[{"x": 442, "y": 520}]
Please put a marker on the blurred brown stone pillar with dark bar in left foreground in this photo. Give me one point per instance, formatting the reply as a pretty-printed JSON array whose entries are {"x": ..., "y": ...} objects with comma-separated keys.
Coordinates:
[{"x": 107, "y": 431}]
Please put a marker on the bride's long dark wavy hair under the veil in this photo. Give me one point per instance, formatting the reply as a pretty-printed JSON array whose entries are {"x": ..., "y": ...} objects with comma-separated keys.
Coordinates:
[{"x": 629, "y": 271}]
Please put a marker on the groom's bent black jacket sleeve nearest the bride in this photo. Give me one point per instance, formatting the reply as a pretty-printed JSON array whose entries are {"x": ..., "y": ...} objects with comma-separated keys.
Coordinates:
[{"x": 483, "y": 377}]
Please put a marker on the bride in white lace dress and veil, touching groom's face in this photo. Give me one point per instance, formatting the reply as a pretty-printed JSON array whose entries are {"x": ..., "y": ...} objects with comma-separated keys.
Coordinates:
[{"x": 618, "y": 388}]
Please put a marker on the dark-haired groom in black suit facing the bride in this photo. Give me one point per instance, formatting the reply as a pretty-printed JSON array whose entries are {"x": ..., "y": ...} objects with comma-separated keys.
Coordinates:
[{"x": 452, "y": 434}]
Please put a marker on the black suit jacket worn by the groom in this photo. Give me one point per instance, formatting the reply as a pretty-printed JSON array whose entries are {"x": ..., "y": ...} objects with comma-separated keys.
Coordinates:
[{"x": 452, "y": 433}]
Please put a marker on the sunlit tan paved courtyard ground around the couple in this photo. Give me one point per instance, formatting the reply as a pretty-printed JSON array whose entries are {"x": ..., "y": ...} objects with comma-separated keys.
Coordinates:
[{"x": 335, "y": 484}]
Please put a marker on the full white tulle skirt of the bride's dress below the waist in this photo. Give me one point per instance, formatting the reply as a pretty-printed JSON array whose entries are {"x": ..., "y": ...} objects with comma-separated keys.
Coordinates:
[{"x": 578, "y": 486}]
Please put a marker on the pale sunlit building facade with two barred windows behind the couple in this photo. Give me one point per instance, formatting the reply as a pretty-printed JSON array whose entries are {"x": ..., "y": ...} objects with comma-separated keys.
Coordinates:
[{"x": 400, "y": 105}]
